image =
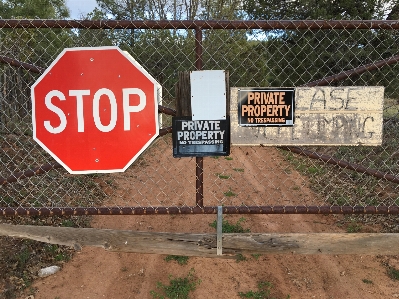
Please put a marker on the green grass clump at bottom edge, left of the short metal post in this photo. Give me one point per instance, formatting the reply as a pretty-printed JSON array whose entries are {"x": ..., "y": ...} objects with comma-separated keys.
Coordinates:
[{"x": 178, "y": 288}]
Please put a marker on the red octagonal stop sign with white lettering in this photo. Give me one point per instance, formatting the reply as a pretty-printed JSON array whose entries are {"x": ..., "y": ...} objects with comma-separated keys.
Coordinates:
[{"x": 95, "y": 110}]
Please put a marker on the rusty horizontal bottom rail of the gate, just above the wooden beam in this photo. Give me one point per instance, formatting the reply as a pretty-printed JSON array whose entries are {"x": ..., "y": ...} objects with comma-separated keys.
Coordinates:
[{"x": 80, "y": 211}]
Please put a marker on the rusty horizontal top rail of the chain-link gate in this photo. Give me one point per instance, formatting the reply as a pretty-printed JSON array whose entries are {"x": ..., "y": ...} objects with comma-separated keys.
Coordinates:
[{"x": 202, "y": 24}]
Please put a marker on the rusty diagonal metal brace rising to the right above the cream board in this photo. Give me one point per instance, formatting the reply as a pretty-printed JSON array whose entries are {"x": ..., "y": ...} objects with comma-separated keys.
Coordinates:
[{"x": 356, "y": 71}]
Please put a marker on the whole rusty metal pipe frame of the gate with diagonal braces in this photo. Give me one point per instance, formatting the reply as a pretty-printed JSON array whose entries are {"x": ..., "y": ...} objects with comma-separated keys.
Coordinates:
[{"x": 198, "y": 26}]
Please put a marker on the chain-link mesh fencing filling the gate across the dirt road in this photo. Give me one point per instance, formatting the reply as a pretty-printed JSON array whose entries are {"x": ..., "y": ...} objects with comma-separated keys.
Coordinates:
[{"x": 252, "y": 179}]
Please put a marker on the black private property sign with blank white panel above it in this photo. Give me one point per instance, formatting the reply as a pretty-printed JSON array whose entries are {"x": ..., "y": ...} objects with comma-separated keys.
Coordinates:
[{"x": 207, "y": 131}]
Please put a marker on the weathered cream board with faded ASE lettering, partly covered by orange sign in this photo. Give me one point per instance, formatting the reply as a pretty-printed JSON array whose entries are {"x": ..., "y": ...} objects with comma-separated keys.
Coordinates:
[{"x": 323, "y": 116}]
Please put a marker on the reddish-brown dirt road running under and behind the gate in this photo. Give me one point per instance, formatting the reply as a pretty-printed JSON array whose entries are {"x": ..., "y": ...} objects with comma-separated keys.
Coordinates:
[{"x": 96, "y": 273}]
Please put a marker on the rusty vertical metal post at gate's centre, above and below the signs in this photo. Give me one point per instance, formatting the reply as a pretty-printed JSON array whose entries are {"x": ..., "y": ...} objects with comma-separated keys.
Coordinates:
[{"x": 199, "y": 161}]
